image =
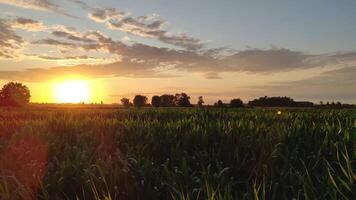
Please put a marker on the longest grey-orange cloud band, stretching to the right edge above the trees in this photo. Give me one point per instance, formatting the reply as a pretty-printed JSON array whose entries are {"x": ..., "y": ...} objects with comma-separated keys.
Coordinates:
[{"x": 210, "y": 62}]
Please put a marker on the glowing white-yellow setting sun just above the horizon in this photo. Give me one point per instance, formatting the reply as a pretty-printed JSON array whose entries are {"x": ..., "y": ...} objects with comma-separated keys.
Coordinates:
[{"x": 72, "y": 92}]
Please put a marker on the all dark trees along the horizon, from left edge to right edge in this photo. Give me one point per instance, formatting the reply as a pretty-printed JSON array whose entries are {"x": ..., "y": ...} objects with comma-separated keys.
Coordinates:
[{"x": 17, "y": 94}]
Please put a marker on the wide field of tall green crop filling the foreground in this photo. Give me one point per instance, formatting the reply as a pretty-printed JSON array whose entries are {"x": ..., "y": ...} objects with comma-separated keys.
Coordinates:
[{"x": 177, "y": 153}]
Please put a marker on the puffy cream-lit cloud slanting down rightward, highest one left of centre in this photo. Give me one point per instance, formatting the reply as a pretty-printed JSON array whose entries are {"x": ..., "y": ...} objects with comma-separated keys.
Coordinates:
[{"x": 144, "y": 26}]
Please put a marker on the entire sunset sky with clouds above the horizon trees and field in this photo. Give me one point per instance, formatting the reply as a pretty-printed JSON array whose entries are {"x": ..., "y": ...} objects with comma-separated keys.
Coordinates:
[{"x": 110, "y": 49}]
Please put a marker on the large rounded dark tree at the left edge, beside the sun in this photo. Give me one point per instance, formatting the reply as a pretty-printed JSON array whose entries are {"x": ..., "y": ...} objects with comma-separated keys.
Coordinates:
[{"x": 14, "y": 94}]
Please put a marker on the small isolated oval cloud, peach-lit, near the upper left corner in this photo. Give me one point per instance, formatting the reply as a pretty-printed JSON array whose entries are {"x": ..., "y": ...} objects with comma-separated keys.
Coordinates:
[{"x": 28, "y": 24}]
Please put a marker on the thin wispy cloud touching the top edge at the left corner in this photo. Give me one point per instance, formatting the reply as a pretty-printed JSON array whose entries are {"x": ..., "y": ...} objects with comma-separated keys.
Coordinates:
[{"x": 41, "y": 5}]
